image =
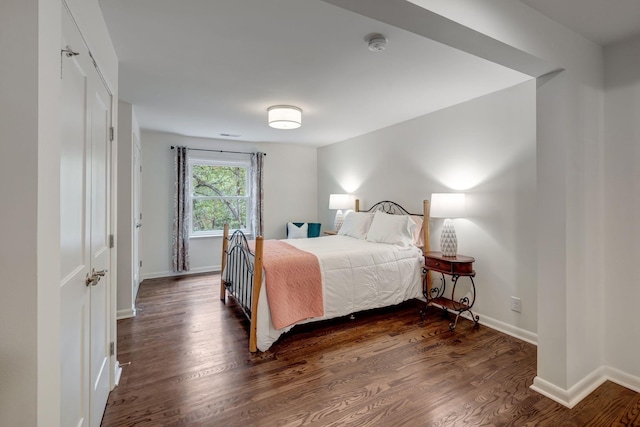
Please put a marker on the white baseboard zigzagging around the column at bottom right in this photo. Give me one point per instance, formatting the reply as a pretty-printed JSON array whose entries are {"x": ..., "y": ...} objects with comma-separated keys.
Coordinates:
[{"x": 586, "y": 386}]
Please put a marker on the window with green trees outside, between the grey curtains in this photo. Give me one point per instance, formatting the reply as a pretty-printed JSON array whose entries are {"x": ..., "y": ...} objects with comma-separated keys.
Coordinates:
[{"x": 220, "y": 194}]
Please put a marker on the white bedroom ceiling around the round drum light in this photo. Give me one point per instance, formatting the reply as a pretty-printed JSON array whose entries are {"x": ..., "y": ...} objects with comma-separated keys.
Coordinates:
[{"x": 212, "y": 68}]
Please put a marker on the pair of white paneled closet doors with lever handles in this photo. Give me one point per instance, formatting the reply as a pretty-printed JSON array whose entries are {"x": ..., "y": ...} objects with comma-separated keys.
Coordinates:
[{"x": 84, "y": 235}]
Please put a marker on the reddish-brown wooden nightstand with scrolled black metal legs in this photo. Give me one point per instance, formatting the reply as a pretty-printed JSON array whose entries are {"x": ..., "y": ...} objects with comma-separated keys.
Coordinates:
[{"x": 456, "y": 267}]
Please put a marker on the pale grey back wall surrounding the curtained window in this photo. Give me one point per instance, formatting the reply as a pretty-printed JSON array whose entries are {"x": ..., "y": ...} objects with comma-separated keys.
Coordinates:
[{"x": 290, "y": 194}]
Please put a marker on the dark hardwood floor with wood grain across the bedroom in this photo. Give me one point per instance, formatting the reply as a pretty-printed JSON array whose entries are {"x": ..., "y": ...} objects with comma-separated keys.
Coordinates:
[{"x": 190, "y": 366}]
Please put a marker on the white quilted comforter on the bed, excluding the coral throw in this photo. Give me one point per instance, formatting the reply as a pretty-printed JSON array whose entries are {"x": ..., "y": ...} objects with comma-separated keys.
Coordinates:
[{"x": 356, "y": 275}]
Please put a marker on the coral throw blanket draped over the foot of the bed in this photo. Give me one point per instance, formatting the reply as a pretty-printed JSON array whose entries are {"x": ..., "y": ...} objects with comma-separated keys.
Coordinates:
[{"x": 294, "y": 283}]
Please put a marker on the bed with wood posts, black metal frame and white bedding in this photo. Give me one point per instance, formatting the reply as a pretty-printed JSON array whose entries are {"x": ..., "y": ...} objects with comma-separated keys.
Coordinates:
[{"x": 374, "y": 261}]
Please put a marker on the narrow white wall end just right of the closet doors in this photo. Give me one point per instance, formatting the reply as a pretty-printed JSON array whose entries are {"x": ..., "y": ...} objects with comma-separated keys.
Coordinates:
[{"x": 127, "y": 129}]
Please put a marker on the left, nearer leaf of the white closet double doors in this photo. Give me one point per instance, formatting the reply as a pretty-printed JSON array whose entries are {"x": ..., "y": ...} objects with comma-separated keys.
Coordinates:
[{"x": 74, "y": 236}]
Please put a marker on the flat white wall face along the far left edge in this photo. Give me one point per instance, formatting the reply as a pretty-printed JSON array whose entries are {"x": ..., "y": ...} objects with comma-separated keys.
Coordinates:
[{"x": 19, "y": 80}]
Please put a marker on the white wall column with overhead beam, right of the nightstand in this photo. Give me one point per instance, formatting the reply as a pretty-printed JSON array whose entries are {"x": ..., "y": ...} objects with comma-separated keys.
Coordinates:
[{"x": 570, "y": 185}]
